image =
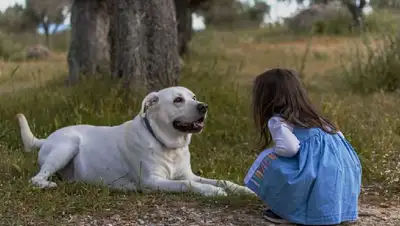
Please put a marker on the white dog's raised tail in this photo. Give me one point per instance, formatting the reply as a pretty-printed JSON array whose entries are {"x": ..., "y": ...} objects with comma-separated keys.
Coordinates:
[{"x": 28, "y": 139}]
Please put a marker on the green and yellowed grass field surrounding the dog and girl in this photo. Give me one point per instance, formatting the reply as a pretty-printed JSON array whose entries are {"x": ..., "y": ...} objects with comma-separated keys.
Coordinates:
[{"x": 219, "y": 75}]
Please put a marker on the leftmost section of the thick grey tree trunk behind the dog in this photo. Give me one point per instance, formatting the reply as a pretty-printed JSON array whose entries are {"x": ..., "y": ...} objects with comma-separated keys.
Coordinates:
[{"x": 89, "y": 50}]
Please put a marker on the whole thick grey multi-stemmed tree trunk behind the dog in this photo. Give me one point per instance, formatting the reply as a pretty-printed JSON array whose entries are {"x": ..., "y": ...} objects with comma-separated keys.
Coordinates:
[{"x": 140, "y": 35}]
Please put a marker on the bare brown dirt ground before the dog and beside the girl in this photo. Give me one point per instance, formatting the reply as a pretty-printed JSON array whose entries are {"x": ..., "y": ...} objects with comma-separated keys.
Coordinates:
[{"x": 374, "y": 210}]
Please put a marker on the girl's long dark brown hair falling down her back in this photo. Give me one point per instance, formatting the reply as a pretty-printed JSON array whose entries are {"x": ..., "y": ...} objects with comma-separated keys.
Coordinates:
[{"x": 280, "y": 91}]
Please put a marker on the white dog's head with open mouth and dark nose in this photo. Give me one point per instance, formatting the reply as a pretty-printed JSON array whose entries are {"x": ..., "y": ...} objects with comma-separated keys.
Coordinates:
[{"x": 174, "y": 113}]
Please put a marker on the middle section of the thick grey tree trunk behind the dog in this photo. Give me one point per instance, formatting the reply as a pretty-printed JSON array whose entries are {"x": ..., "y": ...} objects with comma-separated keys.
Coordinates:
[{"x": 128, "y": 42}]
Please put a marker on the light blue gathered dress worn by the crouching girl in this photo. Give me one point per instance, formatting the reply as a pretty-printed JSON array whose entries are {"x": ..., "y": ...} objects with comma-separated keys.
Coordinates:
[{"x": 320, "y": 185}]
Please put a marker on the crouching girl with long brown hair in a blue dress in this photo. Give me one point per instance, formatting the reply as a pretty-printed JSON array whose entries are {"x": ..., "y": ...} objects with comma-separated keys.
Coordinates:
[{"x": 312, "y": 175}]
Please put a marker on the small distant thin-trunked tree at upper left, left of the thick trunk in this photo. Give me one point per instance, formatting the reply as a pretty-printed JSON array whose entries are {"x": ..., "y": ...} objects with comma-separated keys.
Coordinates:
[{"x": 46, "y": 13}]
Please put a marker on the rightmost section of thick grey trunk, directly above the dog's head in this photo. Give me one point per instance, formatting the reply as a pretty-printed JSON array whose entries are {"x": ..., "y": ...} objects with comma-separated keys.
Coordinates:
[{"x": 162, "y": 42}]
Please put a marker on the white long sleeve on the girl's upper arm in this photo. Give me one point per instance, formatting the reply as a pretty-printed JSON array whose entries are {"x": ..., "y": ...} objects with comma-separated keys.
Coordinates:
[{"x": 286, "y": 143}]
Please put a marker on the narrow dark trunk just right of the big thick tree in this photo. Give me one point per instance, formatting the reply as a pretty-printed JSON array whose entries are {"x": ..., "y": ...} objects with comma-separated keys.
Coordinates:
[{"x": 184, "y": 21}]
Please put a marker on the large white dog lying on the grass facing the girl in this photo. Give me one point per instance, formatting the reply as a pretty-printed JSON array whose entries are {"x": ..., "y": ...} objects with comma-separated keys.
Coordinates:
[{"x": 147, "y": 153}]
